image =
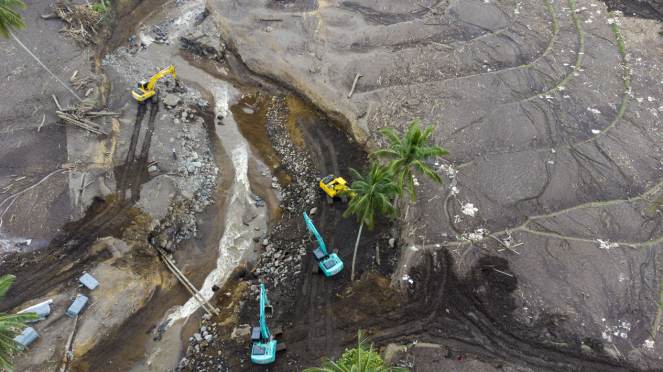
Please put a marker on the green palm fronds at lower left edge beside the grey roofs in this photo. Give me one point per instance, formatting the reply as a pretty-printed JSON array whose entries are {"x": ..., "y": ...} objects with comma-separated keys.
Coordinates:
[{"x": 10, "y": 326}]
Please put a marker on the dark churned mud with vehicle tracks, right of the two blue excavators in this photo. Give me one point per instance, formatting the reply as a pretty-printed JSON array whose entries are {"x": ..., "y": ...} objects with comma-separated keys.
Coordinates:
[{"x": 473, "y": 313}]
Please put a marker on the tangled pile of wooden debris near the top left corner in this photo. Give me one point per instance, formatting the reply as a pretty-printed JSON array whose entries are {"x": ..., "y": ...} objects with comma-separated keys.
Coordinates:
[{"x": 81, "y": 21}]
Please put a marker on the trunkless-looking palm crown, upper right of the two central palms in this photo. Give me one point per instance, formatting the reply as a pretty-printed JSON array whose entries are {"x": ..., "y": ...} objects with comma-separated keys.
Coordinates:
[{"x": 409, "y": 153}]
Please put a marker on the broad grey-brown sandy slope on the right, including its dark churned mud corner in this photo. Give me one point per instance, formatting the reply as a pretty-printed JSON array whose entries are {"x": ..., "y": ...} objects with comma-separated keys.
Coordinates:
[{"x": 550, "y": 112}]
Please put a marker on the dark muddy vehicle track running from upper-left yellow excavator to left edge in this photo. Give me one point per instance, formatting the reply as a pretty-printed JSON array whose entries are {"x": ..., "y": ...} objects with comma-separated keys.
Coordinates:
[{"x": 70, "y": 252}]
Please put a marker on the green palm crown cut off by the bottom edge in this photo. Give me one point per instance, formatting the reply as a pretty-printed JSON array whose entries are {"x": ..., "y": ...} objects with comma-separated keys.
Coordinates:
[{"x": 362, "y": 362}]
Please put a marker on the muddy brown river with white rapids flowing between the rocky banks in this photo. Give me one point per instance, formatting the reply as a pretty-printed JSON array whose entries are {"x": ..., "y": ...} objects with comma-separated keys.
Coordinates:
[{"x": 235, "y": 124}]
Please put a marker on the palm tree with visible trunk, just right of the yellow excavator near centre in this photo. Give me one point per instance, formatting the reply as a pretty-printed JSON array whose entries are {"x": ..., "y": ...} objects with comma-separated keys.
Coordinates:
[{"x": 369, "y": 193}]
